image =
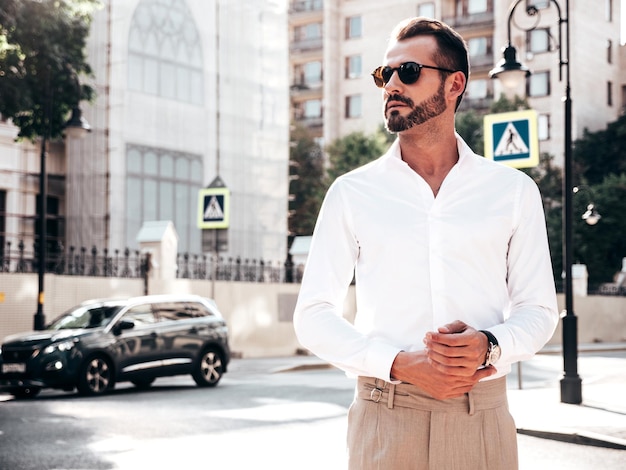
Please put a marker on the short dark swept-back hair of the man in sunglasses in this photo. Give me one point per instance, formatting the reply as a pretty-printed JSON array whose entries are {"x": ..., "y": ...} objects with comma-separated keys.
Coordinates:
[{"x": 452, "y": 50}]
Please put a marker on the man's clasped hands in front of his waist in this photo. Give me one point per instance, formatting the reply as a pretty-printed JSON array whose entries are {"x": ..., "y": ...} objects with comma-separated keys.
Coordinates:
[{"x": 450, "y": 365}]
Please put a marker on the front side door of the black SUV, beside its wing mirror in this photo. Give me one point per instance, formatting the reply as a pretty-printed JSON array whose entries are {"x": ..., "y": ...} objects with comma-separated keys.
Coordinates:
[{"x": 140, "y": 348}]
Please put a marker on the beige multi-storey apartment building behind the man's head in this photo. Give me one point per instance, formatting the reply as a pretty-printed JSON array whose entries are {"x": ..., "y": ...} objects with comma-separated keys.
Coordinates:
[{"x": 332, "y": 91}]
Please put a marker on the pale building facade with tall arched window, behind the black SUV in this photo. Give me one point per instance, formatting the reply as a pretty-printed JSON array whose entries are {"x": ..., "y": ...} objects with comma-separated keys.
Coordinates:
[{"x": 187, "y": 91}]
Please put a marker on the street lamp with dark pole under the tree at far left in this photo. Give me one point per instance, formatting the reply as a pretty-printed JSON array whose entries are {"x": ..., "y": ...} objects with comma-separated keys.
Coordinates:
[{"x": 77, "y": 126}]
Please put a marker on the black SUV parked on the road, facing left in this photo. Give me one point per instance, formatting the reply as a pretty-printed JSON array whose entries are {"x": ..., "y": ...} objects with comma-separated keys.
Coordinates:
[{"x": 98, "y": 343}]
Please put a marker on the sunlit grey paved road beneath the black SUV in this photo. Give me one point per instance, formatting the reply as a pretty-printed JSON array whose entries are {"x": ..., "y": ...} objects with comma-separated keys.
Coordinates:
[{"x": 256, "y": 418}]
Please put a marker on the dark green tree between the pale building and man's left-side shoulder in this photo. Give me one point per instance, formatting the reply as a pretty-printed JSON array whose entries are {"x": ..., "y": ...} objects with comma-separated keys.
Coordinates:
[{"x": 307, "y": 181}]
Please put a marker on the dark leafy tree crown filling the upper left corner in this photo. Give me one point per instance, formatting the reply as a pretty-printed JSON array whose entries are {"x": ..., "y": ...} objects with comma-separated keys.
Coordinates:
[{"x": 42, "y": 56}]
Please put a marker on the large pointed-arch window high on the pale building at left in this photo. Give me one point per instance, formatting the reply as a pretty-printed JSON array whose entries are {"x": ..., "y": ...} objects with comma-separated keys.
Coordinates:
[{"x": 164, "y": 52}]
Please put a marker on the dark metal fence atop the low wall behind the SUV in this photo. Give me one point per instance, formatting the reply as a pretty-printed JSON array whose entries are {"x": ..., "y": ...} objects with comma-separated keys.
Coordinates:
[{"x": 134, "y": 264}]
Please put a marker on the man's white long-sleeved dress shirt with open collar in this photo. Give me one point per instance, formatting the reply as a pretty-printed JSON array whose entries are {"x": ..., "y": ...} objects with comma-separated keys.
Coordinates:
[{"x": 478, "y": 252}]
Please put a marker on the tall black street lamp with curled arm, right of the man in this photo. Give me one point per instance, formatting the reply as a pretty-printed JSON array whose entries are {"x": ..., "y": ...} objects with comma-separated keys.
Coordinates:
[{"x": 511, "y": 71}]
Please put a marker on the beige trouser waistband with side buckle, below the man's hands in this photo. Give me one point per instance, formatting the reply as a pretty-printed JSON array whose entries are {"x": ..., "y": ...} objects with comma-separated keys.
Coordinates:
[{"x": 485, "y": 395}]
